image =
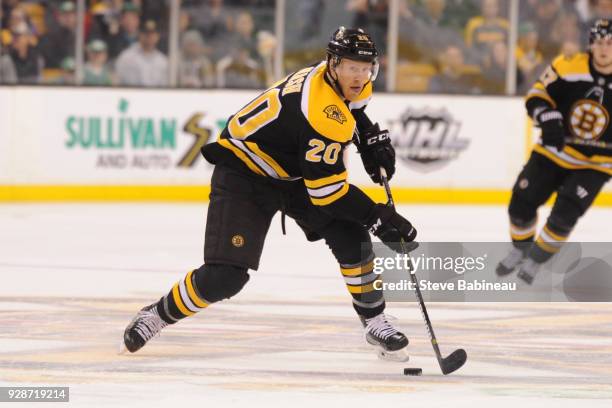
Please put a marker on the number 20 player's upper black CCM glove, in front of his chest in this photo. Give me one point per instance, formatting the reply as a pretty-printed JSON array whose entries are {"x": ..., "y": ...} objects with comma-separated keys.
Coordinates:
[{"x": 376, "y": 151}]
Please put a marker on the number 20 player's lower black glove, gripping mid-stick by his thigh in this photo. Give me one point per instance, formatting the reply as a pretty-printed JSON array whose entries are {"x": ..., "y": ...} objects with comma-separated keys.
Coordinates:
[{"x": 390, "y": 227}]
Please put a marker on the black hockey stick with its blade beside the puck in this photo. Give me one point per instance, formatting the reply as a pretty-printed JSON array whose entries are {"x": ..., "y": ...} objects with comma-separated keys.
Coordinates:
[{"x": 457, "y": 358}]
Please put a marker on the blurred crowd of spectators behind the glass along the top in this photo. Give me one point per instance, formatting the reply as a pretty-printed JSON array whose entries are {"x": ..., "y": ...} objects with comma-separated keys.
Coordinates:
[{"x": 444, "y": 46}]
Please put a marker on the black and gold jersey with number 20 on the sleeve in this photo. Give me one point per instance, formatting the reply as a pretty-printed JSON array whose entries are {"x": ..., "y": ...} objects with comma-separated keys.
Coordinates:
[{"x": 296, "y": 131}]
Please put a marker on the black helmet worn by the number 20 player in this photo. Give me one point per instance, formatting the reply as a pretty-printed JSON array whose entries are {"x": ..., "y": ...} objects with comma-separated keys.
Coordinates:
[{"x": 352, "y": 43}]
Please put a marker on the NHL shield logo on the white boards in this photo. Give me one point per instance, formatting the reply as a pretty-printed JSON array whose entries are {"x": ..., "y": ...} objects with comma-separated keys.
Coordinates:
[{"x": 427, "y": 139}]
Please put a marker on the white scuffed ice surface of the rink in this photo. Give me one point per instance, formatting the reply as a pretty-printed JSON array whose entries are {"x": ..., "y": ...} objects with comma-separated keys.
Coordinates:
[{"x": 72, "y": 276}]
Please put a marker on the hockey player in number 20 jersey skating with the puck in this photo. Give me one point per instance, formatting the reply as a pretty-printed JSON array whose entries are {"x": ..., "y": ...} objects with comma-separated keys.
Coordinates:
[{"x": 283, "y": 152}]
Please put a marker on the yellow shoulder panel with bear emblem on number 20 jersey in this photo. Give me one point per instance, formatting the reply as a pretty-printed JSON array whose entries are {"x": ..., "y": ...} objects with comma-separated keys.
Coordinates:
[{"x": 324, "y": 110}]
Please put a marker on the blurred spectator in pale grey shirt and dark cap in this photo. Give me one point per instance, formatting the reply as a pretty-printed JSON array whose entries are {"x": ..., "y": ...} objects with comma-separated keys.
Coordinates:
[{"x": 142, "y": 64}]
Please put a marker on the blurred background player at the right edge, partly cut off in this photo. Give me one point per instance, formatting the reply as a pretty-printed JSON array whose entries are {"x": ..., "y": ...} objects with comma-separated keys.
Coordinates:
[{"x": 572, "y": 98}]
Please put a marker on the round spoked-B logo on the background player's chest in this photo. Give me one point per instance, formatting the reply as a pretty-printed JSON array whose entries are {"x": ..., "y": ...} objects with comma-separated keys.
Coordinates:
[{"x": 588, "y": 119}]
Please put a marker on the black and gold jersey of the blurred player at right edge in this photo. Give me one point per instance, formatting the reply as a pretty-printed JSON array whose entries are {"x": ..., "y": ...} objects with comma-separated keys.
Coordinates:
[{"x": 583, "y": 96}]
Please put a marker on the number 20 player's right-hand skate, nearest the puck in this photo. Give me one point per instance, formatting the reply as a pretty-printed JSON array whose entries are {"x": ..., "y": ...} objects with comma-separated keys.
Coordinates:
[{"x": 389, "y": 342}]
